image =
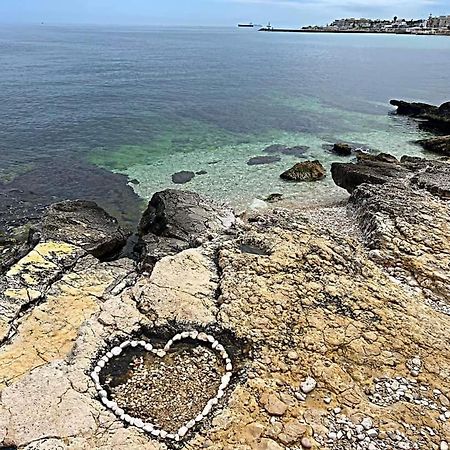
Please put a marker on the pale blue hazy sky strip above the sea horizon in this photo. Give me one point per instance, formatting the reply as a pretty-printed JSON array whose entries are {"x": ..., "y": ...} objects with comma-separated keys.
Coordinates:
[{"x": 211, "y": 12}]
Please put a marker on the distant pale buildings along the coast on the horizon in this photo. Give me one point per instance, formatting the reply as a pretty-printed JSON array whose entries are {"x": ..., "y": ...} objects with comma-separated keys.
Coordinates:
[{"x": 432, "y": 25}]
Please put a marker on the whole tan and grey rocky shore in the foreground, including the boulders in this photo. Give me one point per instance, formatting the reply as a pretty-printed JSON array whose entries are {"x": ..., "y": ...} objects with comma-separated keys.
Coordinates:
[{"x": 334, "y": 322}]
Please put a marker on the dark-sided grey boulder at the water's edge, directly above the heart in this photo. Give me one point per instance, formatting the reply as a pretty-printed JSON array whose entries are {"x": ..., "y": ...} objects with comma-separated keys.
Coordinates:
[{"x": 177, "y": 220}]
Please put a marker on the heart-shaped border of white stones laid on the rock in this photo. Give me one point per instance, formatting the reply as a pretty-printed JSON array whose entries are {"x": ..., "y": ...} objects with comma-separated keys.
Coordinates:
[{"x": 149, "y": 427}]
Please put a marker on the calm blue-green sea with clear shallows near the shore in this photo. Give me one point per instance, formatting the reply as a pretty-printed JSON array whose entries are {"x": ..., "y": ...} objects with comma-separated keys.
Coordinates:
[{"x": 95, "y": 112}]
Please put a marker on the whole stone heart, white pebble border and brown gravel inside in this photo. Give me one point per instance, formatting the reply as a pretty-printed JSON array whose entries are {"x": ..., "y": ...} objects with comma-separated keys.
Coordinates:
[{"x": 164, "y": 391}]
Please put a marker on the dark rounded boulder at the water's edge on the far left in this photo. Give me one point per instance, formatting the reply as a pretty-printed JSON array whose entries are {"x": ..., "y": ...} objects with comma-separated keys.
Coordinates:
[{"x": 86, "y": 225}]
